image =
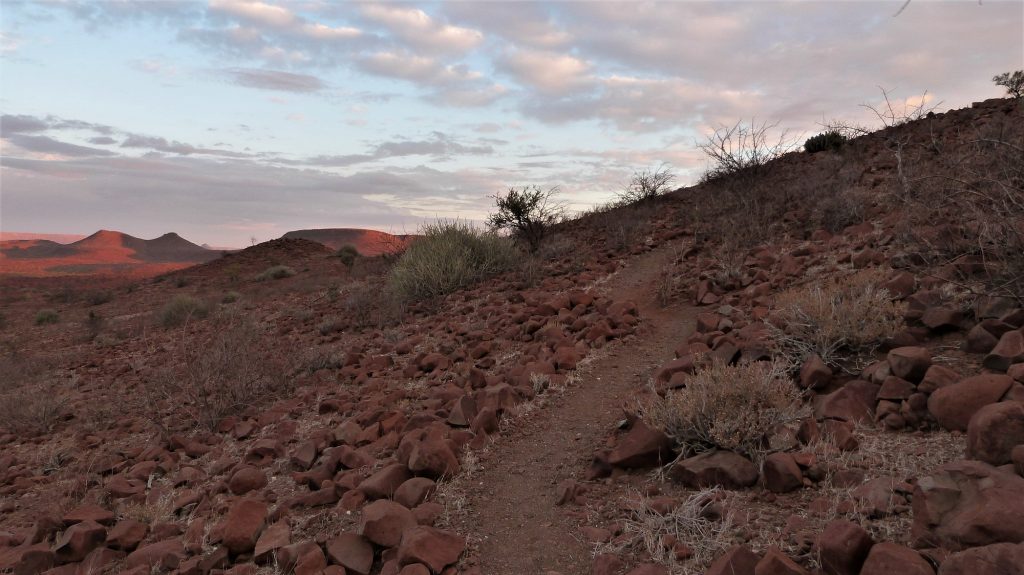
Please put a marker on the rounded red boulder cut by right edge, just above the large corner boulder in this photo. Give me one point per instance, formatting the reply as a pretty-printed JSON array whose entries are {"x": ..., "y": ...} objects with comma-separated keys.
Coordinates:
[{"x": 994, "y": 431}]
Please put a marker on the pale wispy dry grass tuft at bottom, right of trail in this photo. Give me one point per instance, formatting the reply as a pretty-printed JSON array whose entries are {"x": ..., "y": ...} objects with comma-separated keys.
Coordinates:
[{"x": 692, "y": 523}]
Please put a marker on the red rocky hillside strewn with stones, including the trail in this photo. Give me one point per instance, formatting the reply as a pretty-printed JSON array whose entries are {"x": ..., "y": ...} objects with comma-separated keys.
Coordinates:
[{"x": 509, "y": 428}]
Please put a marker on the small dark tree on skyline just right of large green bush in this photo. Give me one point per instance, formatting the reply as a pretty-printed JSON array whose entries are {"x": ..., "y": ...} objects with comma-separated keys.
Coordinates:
[{"x": 528, "y": 213}]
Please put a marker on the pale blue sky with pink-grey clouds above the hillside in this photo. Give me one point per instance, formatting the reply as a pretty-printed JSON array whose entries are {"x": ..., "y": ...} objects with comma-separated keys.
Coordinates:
[{"x": 232, "y": 120}]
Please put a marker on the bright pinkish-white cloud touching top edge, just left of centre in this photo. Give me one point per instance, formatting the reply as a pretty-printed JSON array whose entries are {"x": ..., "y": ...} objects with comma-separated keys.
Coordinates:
[{"x": 420, "y": 31}]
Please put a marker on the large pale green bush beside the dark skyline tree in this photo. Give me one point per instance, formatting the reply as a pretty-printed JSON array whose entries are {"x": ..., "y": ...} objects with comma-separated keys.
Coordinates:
[{"x": 451, "y": 255}]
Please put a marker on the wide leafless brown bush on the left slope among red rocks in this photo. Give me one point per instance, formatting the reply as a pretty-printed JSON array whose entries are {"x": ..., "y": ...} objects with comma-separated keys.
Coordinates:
[{"x": 225, "y": 372}]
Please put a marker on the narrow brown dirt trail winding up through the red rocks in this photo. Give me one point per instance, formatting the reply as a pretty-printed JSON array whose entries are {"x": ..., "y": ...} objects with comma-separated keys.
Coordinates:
[{"x": 513, "y": 500}]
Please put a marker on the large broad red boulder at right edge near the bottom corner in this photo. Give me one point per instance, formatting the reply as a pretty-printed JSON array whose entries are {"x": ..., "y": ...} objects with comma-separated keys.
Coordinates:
[{"x": 968, "y": 504}]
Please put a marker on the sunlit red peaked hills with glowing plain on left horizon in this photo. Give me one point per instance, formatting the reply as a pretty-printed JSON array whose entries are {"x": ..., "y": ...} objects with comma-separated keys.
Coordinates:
[{"x": 104, "y": 252}]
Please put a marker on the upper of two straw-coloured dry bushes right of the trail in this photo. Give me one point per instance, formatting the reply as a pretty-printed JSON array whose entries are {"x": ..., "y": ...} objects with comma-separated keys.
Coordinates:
[{"x": 842, "y": 321}]
